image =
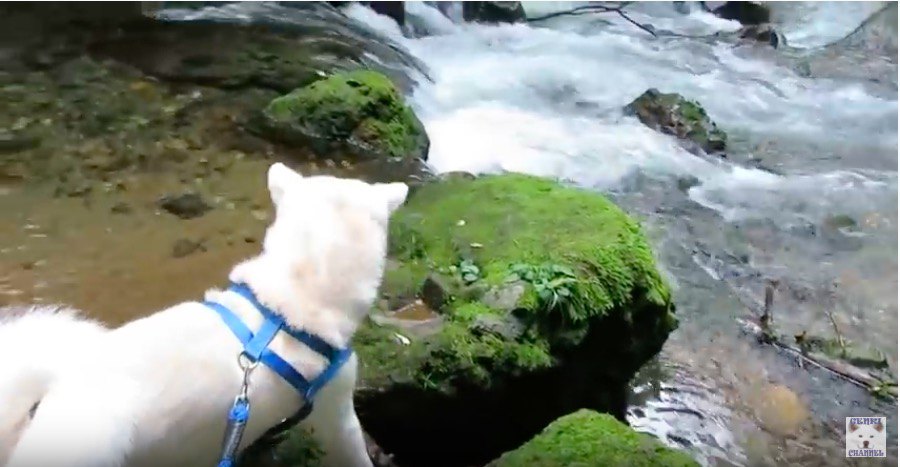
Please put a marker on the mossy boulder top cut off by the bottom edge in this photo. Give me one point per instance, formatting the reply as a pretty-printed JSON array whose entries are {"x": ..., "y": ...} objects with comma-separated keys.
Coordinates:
[{"x": 587, "y": 438}]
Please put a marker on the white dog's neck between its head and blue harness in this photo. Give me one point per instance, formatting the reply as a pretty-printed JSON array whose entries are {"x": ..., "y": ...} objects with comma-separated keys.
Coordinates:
[{"x": 278, "y": 286}]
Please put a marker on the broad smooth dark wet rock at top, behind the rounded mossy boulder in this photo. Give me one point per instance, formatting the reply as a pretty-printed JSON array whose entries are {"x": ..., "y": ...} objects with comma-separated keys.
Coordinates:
[{"x": 262, "y": 53}]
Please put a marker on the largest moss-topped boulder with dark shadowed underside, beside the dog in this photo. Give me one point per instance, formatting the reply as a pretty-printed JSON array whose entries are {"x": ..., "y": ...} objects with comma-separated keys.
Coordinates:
[{"x": 553, "y": 301}]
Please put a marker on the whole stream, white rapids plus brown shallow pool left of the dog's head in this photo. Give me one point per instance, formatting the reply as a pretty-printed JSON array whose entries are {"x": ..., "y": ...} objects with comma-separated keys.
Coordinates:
[{"x": 807, "y": 195}]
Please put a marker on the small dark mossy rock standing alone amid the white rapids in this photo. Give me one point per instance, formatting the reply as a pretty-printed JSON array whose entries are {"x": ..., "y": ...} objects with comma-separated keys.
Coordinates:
[{"x": 672, "y": 114}]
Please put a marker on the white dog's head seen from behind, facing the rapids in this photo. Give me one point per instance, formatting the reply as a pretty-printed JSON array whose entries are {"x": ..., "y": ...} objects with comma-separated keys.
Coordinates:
[{"x": 331, "y": 233}]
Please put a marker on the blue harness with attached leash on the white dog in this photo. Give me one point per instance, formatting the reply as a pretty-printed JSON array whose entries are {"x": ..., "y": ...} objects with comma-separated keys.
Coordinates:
[{"x": 256, "y": 351}]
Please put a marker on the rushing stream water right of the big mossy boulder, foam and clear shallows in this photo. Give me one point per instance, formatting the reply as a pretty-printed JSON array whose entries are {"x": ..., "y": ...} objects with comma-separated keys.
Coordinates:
[{"x": 546, "y": 98}]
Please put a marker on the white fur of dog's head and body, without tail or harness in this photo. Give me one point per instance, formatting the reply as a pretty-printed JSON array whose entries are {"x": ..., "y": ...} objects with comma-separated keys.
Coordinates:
[{"x": 159, "y": 389}]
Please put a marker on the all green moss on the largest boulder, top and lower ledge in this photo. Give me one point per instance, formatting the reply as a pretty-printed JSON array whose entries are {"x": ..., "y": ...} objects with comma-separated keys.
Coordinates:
[{"x": 578, "y": 256}]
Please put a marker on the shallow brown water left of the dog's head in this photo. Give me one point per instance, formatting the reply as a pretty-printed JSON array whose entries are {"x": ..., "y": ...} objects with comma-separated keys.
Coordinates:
[{"x": 117, "y": 267}]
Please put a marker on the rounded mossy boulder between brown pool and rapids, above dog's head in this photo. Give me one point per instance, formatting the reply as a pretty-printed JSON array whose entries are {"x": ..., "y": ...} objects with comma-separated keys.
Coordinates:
[{"x": 358, "y": 113}]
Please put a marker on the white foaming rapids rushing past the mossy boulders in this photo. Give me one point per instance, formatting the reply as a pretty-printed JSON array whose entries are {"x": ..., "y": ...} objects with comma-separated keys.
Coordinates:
[{"x": 547, "y": 101}]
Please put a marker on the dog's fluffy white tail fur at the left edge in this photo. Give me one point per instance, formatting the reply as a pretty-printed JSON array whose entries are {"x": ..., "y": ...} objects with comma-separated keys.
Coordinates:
[{"x": 36, "y": 344}]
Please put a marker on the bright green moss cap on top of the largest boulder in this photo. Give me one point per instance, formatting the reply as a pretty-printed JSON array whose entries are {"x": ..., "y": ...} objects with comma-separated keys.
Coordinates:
[{"x": 523, "y": 222}]
